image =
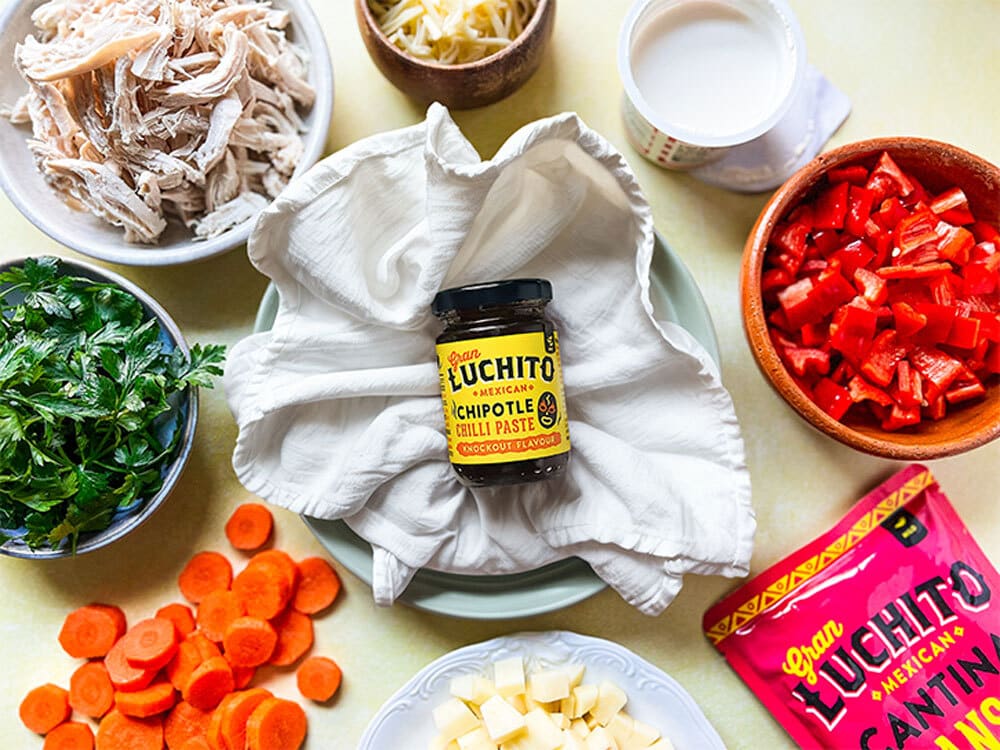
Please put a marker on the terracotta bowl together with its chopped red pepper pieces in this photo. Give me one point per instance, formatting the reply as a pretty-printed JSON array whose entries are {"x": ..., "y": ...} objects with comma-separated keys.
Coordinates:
[{"x": 871, "y": 296}]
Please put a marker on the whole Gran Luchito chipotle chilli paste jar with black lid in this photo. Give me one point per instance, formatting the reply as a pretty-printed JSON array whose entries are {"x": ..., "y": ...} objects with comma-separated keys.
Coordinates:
[{"x": 501, "y": 383}]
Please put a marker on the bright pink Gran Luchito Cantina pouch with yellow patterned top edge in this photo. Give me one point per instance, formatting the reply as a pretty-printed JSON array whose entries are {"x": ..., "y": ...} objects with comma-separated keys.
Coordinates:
[{"x": 882, "y": 634}]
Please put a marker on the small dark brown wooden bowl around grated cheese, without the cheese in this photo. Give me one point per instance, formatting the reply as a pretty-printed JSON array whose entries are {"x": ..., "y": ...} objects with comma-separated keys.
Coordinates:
[{"x": 460, "y": 86}]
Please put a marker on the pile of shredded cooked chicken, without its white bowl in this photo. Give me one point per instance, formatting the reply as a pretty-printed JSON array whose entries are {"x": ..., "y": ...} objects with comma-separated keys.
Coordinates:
[{"x": 143, "y": 110}]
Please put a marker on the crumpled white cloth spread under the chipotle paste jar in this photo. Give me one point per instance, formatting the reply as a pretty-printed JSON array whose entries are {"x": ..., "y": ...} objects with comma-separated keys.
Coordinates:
[{"x": 338, "y": 406}]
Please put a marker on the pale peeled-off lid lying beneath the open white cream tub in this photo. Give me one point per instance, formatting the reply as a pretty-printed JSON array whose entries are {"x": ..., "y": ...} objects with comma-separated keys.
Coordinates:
[{"x": 767, "y": 161}]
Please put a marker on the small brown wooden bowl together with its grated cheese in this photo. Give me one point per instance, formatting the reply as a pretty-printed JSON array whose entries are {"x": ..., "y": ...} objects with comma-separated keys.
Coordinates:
[{"x": 460, "y": 54}]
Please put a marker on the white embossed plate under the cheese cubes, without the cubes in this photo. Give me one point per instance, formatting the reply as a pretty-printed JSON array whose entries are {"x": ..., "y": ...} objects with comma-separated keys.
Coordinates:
[{"x": 653, "y": 697}]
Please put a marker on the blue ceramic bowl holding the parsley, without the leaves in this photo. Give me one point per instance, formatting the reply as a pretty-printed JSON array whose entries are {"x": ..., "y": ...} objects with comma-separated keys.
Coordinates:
[{"x": 182, "y": 416}]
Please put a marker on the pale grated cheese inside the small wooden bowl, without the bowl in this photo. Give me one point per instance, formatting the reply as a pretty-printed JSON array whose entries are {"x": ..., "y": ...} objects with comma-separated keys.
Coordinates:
[{"x": 452, "y": 31}]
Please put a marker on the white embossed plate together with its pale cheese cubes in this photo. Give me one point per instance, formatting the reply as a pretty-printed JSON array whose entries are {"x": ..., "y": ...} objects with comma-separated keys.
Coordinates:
[{"x": 541, "y": 691}]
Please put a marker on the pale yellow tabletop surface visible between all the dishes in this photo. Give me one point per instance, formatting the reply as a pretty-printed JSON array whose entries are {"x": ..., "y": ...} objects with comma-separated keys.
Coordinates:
[{"x": 910, "y": 67}]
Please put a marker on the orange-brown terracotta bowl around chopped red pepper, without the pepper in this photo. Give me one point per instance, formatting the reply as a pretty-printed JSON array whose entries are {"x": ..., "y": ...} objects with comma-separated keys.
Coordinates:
[{"x": 937, "y": 166}]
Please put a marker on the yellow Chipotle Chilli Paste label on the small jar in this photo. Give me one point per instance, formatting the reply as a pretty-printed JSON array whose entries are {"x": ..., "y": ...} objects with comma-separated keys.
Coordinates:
[{"x": 503, "y": 398}]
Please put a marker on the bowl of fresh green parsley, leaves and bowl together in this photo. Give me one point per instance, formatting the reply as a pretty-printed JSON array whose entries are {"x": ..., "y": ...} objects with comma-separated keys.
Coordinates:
[{"x": 98, "y": 404}]
